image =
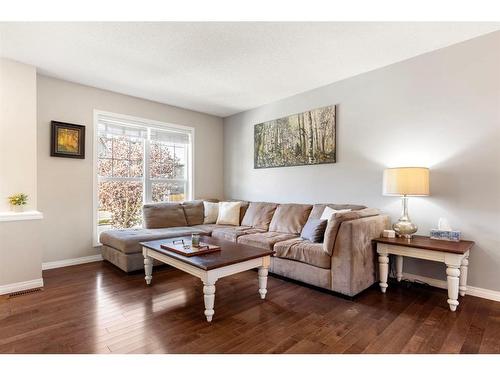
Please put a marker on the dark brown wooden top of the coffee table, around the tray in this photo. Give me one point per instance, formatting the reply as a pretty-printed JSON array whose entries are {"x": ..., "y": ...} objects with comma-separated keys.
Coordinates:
[{"x": 230, "y": 253}]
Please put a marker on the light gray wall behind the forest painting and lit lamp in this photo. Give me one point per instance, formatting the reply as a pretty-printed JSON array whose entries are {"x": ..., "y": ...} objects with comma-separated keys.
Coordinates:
[{"x": 440, "y": 110}]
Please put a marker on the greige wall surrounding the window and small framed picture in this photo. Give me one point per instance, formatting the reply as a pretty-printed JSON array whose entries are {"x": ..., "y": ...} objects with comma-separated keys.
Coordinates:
[{"x": 65, "y": 185}]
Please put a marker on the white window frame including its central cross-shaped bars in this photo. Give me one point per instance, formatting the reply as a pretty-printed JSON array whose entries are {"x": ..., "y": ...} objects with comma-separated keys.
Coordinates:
[{"x": 149, "y": 124}]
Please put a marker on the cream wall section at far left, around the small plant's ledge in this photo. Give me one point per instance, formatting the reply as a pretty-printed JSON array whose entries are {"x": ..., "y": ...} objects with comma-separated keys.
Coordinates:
[{"x": 20, "y": 251}]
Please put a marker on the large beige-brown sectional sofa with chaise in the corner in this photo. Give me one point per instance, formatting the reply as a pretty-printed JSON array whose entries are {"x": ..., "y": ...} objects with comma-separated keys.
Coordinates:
[{"x": 344, "y": 262}]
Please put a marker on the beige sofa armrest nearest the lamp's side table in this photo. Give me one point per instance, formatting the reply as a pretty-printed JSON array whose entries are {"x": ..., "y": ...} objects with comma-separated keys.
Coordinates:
[{"x": 353, "y": 259}]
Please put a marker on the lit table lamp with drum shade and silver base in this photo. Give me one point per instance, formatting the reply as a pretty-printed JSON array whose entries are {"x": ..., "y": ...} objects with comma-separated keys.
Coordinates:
[{"x": 405, "y": 182}]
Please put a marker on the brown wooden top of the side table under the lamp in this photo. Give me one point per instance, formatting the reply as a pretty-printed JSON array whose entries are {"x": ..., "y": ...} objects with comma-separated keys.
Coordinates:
[{"x": 424, "y": 242}]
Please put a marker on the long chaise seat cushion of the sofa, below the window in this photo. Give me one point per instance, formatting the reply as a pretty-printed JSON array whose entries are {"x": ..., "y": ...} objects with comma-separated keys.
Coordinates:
[{"x": 128, "y": 240}]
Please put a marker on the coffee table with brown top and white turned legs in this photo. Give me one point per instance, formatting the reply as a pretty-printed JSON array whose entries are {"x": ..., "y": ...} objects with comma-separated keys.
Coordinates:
[{"x": 231, "y": 259}]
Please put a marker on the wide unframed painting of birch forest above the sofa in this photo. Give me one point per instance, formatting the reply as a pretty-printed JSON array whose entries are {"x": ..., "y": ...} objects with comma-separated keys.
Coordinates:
[{"x": 301, "y": 139}]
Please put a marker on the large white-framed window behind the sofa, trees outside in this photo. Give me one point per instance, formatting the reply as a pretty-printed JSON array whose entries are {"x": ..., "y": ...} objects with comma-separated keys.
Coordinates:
[{"x": 138, "y": 161}]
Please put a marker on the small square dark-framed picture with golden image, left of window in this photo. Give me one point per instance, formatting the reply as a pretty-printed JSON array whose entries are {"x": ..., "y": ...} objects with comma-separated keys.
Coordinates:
[{"x": 67, "y": 140}]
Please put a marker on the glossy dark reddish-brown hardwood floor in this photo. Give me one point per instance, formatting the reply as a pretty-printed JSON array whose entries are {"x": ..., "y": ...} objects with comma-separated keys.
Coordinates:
[{"x": 95, "y": 308}]
